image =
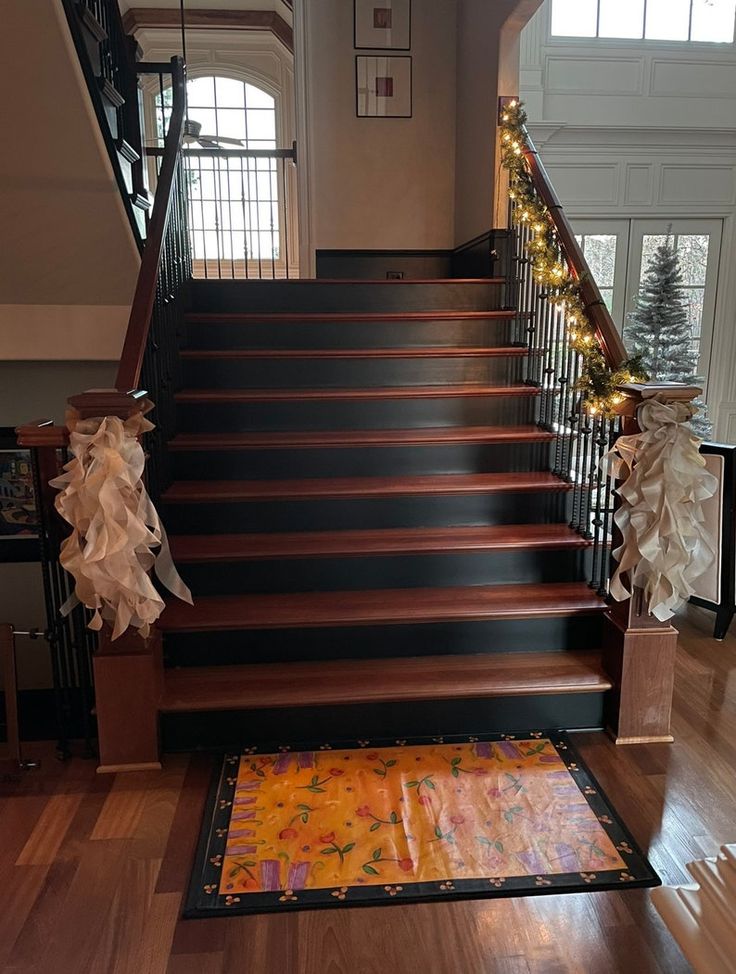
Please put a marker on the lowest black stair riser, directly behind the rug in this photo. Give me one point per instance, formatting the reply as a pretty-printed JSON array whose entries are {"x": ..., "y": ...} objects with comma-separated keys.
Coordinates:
[{"x": 222, "y": 729}]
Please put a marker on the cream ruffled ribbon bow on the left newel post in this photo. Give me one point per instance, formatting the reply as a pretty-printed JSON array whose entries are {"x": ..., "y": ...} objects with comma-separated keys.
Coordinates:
[{"x": 114, "y": 526}]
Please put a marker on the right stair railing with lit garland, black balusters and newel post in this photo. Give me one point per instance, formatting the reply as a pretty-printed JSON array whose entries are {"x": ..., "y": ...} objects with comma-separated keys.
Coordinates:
[{"x": 589, "y": 394}]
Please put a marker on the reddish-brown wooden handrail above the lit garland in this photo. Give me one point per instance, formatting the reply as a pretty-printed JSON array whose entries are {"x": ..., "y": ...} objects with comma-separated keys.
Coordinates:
[{"x": 606, "y": 331}]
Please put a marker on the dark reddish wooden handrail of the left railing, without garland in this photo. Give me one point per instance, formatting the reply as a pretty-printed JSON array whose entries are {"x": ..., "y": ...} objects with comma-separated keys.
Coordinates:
[{"x": 136, "y": 337}]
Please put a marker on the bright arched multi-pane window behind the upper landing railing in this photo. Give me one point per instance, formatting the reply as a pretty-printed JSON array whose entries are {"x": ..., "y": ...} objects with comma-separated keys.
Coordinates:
[{"x": 236, "y": 202}]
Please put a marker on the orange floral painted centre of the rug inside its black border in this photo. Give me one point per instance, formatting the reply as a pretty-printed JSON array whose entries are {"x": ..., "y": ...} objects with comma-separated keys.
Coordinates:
[{"x": 333, "y": 819}]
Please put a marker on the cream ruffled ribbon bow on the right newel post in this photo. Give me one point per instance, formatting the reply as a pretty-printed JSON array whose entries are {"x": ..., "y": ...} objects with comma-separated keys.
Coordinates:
[{"x": 665, "y": 545}]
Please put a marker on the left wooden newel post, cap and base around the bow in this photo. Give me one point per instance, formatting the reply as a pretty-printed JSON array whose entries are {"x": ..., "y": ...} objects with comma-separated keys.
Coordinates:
[{"x": 127, "y": 671}]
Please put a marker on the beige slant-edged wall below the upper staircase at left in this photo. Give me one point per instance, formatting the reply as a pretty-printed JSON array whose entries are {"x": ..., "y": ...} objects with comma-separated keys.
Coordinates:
[{"x": 64, "y": 234}]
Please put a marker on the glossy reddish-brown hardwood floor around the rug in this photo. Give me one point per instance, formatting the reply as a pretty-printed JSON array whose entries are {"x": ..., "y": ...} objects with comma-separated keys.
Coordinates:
[{"x": 92, "y": 868}]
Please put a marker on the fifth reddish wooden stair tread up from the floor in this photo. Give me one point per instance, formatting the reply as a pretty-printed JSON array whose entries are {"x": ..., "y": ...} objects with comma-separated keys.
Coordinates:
[{"x": 383, "y": 437}]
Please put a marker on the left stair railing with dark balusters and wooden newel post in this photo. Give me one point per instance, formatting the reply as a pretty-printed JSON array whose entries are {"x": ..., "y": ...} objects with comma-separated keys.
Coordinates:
[{"x": 148, "y": 371}]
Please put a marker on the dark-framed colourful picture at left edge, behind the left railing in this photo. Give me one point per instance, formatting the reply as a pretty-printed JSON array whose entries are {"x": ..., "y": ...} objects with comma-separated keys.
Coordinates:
[{"x": 18, "y": 519}]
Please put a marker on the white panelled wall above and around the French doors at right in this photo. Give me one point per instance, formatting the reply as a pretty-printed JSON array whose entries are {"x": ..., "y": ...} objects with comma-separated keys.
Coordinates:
[{"x": 643, "y": 133}]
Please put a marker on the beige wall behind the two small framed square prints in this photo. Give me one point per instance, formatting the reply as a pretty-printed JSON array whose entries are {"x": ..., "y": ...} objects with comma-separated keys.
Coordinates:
[{"x": 380, "y": 183}]
